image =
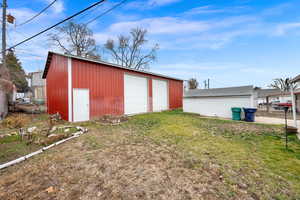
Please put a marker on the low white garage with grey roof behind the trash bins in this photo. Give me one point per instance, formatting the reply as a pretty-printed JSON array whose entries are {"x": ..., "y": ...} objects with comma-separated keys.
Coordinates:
[{"x": 219, "y": 101}]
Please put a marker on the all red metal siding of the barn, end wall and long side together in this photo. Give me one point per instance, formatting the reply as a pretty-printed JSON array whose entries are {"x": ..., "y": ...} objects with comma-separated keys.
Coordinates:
[{"x": 106, "y": 85}]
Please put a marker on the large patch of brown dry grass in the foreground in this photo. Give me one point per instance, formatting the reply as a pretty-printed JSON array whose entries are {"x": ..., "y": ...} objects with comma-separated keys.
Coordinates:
[{"x": 119, "y": 166}]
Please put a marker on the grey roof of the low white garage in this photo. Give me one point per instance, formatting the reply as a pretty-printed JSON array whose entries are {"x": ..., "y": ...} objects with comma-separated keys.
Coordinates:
[{"x": 220, "y": 92}]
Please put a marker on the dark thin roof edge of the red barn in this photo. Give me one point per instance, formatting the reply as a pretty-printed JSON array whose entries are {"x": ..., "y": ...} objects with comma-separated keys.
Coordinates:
[{"x": 50, "y": 54}]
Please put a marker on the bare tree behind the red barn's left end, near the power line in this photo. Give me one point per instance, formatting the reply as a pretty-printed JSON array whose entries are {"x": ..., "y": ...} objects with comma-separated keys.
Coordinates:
[{"x": 75, "y": 39}]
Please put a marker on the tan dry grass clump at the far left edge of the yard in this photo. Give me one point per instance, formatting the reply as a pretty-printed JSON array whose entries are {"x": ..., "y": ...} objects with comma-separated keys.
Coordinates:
[{"x": 15, "y": 121}]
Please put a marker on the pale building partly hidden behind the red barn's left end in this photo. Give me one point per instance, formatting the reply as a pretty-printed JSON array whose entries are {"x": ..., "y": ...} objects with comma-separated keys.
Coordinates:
[{"x": 37, "y": 86}]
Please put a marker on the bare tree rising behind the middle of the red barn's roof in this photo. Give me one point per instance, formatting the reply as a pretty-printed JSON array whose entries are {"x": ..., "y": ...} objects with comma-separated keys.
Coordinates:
[{"x": 129, "y": 51}]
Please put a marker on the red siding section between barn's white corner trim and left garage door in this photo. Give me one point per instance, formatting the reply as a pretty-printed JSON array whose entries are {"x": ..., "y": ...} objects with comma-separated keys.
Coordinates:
[{"x": 106, "y": 85}]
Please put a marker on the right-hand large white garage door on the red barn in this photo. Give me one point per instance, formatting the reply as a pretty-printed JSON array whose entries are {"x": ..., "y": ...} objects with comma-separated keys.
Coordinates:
[{"x": 160, "y": 95}]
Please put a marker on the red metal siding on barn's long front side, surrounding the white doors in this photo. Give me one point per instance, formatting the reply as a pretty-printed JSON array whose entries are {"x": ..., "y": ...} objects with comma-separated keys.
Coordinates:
[{"x": 106, "y": 86}]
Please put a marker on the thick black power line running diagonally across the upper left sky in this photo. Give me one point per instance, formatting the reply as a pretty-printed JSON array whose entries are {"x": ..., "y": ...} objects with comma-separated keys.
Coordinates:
[{"x": 51, "y": 27}]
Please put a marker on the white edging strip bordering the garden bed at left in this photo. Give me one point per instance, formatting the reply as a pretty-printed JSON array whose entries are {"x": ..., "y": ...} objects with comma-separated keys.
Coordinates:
[{"x": 23, "y": 158}]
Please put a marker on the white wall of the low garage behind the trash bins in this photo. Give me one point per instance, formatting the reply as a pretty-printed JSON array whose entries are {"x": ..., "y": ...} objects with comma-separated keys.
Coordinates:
[{"x": 215, "y": 106}]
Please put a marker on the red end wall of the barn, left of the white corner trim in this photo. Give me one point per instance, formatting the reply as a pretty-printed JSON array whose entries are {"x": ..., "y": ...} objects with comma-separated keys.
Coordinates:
[{"x": 57, "y": 86}]
